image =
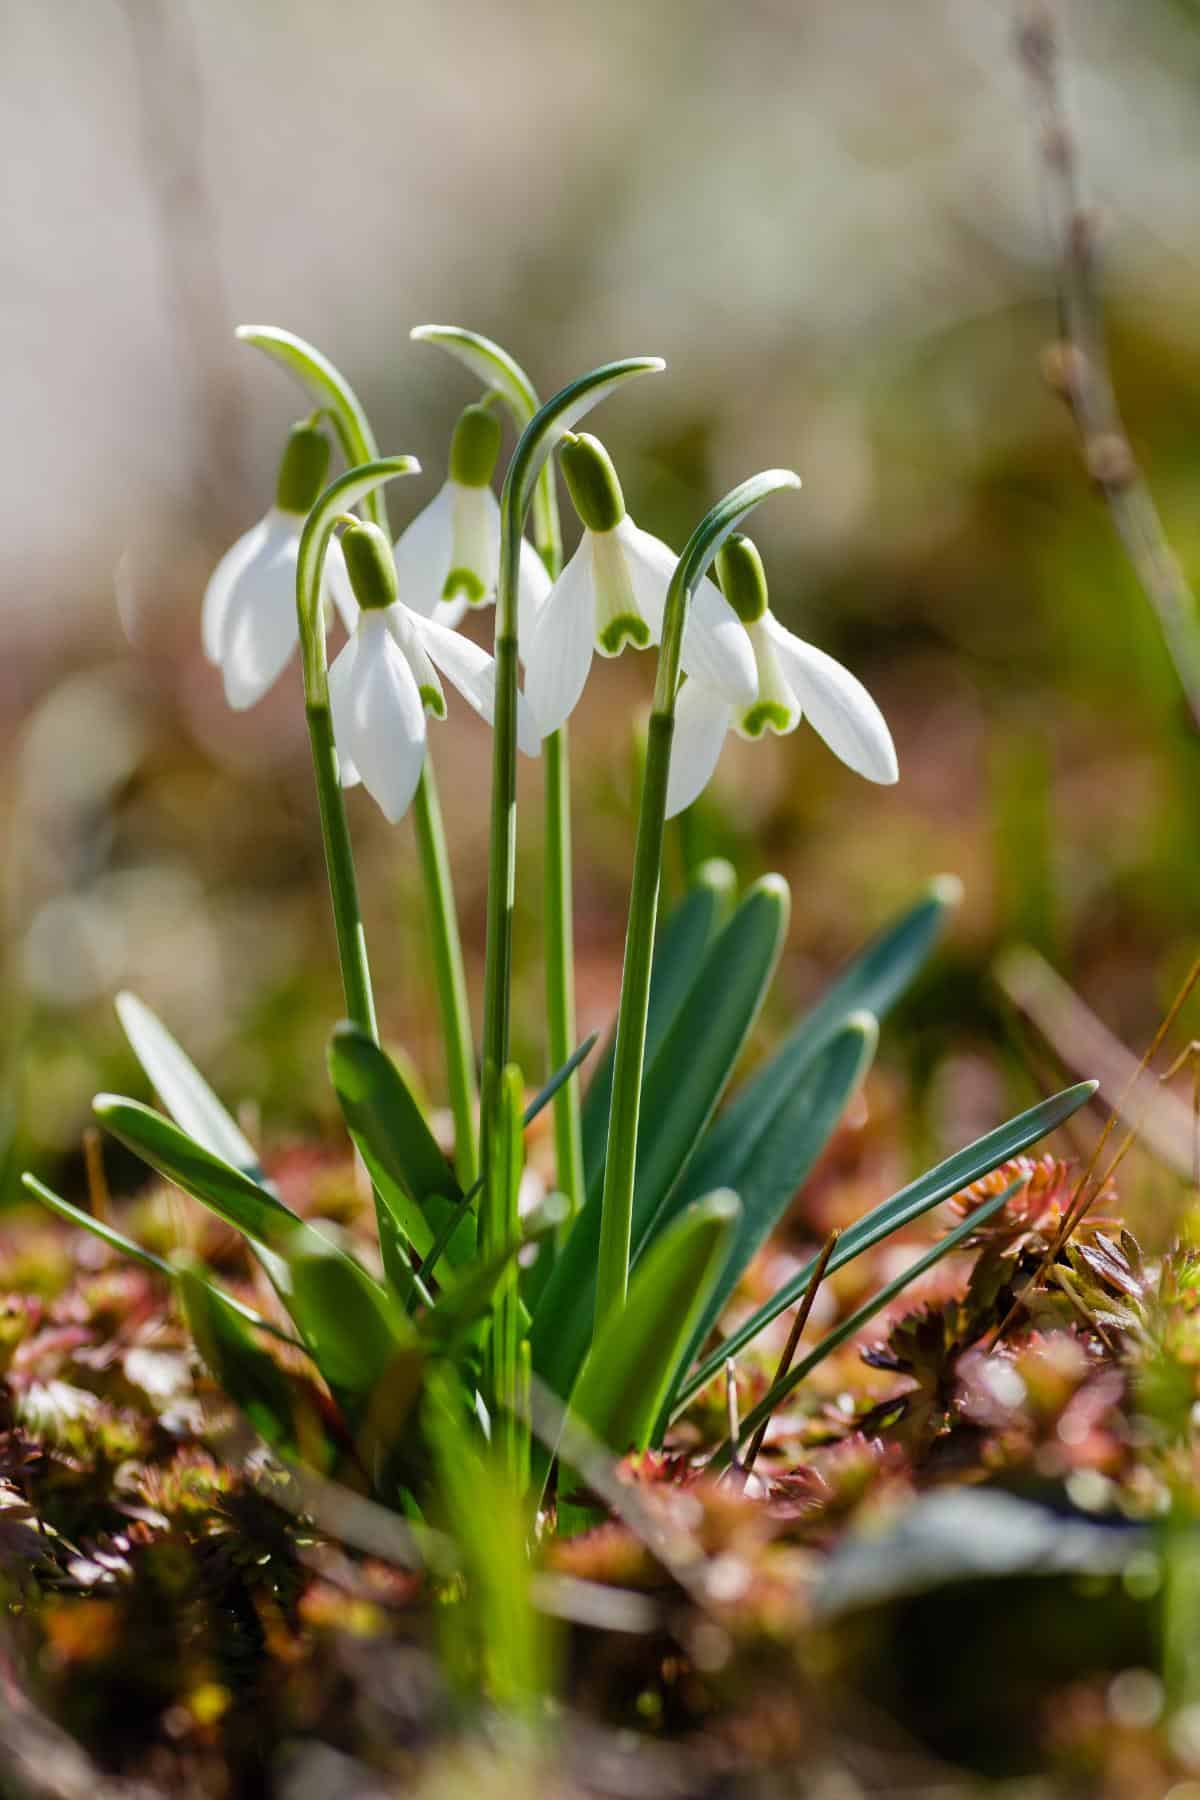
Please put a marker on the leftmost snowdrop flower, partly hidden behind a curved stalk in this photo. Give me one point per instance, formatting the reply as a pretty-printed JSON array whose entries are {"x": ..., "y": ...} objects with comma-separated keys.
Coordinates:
[{"x": 249, "y": 620}]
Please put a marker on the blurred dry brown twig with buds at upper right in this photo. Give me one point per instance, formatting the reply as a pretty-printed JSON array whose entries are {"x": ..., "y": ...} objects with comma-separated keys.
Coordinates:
[{"x": 1079, "y": 364}]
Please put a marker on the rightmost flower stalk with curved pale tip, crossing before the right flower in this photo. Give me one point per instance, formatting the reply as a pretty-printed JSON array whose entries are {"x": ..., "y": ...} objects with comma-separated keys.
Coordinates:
[{"x": 613, "y": 1279}]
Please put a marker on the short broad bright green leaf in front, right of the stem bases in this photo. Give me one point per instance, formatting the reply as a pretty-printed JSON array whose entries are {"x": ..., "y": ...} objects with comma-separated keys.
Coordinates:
[{"x": 634, "y": 1362}]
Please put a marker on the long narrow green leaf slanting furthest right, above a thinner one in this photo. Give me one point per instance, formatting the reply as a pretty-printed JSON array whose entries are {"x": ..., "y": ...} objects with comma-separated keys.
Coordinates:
[{"x": 940, "y": 1183}]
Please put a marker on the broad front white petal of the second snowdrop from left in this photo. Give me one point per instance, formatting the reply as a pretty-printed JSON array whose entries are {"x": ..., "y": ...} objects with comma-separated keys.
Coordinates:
[{"x": 388, "y": 719}]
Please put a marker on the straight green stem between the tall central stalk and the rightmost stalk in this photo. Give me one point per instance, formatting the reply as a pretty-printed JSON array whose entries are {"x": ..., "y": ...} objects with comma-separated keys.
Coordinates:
[{"x": 560, "y": 969}]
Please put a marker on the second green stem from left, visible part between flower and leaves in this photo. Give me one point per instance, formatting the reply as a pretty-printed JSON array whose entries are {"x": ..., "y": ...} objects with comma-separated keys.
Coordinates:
[{"x": 449, "y": 973}]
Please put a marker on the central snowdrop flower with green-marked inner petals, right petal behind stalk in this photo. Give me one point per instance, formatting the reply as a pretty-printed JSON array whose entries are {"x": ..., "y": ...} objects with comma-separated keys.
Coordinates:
[{"x": 613, "y": 593}]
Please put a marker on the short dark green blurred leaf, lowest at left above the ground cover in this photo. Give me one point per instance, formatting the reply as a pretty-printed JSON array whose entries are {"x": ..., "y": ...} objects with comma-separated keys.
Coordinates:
[{"x": 274, "y": 1405}]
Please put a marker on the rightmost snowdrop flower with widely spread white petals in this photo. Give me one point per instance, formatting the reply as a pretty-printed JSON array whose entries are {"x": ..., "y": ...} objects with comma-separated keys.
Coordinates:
[{"x": 794, "y": 679}]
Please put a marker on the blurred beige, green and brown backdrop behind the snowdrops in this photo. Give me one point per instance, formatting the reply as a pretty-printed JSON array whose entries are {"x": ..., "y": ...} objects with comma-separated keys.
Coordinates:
[{"x": 828, "y": 220}]
